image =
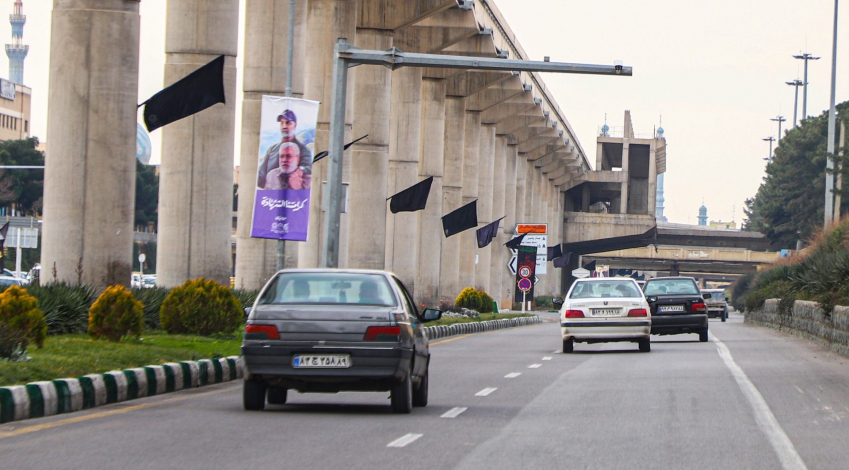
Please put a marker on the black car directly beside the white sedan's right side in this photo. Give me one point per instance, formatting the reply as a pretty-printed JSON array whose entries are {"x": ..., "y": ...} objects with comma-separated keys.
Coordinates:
[{"x": 677, "y": 306}]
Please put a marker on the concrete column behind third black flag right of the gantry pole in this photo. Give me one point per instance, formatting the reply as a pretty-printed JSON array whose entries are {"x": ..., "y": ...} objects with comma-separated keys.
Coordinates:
[{"x": 485, "y": 172}]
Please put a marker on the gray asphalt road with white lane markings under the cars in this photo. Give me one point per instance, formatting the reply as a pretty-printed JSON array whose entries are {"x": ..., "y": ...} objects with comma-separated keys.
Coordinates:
[{"x": 750, "y": 398}]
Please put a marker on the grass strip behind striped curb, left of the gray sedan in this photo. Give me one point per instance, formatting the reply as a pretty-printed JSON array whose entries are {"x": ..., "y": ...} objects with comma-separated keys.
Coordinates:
[{"x": 77, "y": 355}]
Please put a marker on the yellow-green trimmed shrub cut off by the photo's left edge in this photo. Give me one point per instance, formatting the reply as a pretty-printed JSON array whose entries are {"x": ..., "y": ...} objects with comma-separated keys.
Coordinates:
[{"x": 21, "y": 322}]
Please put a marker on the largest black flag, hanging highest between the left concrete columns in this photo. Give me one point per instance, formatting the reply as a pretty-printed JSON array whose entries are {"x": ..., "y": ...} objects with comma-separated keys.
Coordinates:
[{"x": 192, "y": 94}]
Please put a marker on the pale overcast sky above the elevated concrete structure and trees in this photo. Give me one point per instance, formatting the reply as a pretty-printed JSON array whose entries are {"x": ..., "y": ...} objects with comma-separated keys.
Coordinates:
[{"x": 715, "y": 71}]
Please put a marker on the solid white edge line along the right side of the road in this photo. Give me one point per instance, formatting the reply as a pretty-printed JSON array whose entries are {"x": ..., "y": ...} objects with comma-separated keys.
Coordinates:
[{"x": 784, "y": 449}]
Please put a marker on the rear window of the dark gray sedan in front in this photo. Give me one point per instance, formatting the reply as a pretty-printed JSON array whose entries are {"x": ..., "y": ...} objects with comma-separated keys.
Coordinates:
[{"x": 329, "y": 288}]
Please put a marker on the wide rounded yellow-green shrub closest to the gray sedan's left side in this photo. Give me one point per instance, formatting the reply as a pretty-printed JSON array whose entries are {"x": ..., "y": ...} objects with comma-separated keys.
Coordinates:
[{"x": 201, "y": 307}]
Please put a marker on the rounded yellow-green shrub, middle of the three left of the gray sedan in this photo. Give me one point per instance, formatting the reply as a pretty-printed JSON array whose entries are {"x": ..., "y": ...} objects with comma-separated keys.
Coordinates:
[{"x": 114, "y": 314}]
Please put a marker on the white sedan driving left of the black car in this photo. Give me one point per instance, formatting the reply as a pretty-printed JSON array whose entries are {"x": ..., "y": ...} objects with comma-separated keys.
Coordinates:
[{"x": 600, "y": 310}]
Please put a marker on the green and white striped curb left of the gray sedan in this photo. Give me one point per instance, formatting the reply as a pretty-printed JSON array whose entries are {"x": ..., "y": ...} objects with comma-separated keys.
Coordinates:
[{"x": 38, "y": 399}]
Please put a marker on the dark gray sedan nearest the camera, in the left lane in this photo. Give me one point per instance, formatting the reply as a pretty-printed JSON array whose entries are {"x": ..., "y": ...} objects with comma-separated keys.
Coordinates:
[{"x": 333, "y": 330}]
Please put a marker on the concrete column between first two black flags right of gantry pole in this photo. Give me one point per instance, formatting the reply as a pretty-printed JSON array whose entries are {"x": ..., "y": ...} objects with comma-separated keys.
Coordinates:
[{"x": 431, "y": 162}]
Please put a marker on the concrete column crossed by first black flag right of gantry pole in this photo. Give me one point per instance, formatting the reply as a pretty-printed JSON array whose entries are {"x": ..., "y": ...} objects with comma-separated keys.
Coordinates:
[{"x": 401, "y": 231}]
